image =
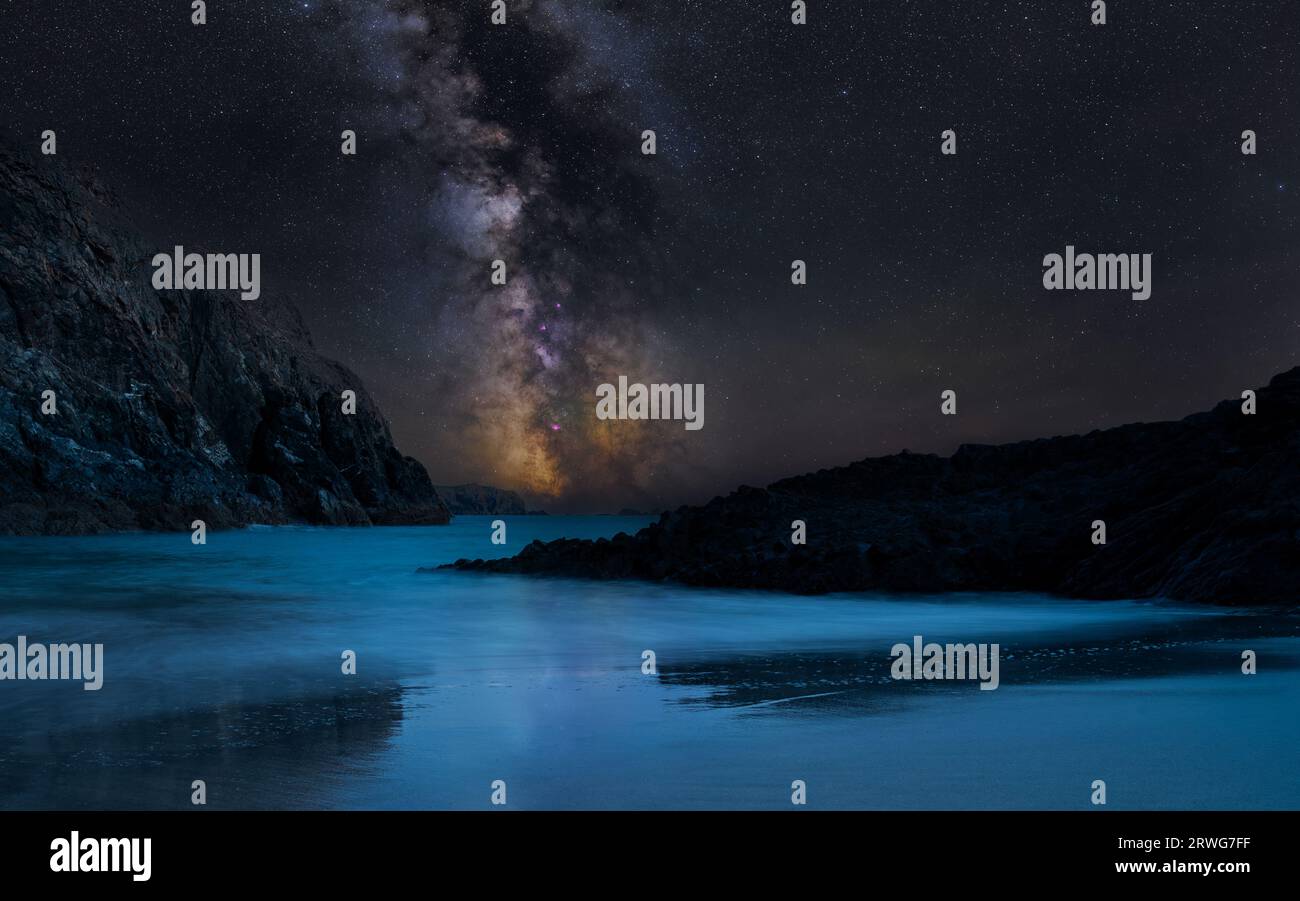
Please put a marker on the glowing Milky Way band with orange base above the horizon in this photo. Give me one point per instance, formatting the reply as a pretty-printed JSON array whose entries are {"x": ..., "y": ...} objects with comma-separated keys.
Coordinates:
[{"x": 541, "y": 183}]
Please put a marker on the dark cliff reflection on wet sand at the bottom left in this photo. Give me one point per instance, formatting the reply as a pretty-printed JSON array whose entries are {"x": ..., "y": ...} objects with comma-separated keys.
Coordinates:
[{"x": 278, "y": 755}]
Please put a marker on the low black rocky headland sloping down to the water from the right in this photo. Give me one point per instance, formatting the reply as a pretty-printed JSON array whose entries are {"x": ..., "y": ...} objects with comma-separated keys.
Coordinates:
[{"x": 1206, "y": 509}]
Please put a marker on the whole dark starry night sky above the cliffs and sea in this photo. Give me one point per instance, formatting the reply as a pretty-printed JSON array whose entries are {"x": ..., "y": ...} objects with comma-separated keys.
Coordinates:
[{"x": 775, "y": 142}]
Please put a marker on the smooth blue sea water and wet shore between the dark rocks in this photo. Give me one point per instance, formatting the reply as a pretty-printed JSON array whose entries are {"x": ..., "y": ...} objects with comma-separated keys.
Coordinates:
[{"x": 223, "y": 662}]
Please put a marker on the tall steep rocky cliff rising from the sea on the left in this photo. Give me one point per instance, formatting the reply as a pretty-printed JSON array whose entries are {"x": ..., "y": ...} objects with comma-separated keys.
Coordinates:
[{"x": 172, "y": 406}]
